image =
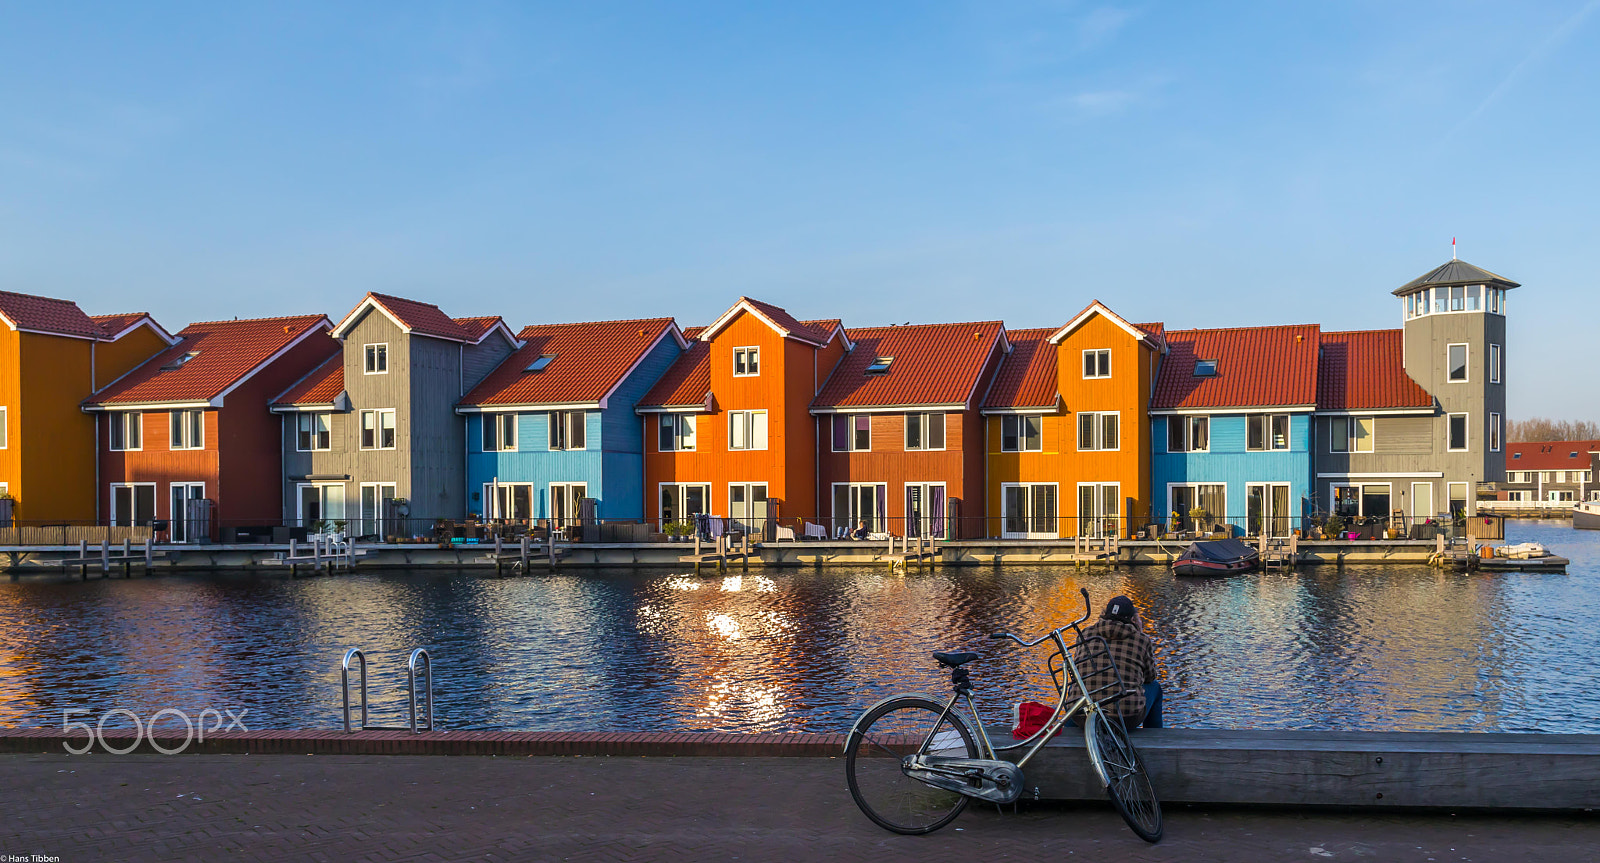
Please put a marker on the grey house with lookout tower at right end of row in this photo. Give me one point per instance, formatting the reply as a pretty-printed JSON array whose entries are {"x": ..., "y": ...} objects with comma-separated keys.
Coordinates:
[{"x": 1410, "y": 422}]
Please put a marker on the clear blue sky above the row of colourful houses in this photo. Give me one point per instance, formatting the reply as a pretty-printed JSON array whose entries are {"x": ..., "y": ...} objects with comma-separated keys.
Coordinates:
[{"x": 881, "y": 163}]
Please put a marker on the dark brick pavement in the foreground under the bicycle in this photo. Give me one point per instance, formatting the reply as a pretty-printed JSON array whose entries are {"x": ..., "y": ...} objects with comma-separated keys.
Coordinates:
[{"x": 422, "y": 808}]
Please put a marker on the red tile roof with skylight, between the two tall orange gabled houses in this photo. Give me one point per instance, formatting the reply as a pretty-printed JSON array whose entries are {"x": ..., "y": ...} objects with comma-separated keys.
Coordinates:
[{"x": 935, "y": 364}]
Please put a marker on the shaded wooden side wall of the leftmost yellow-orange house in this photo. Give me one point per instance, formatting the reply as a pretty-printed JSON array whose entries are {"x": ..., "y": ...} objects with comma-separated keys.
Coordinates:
[{"x": 52, "y": 438}]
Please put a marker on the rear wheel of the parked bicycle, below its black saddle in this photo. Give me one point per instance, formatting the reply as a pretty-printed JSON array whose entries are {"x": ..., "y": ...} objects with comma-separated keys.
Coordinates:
[{"x": 874, "y": 757}]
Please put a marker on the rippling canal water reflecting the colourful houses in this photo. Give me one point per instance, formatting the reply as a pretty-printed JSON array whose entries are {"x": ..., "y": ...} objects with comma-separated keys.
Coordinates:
[{"x": 1356, "y": 648}]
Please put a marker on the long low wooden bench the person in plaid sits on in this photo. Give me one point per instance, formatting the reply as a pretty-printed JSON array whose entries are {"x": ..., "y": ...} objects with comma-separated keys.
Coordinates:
[{"x": 1340, "y": 769}]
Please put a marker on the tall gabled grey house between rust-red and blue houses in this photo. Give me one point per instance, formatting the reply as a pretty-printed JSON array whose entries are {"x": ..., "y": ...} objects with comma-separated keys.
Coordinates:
[{"x": 372, "y": 436}]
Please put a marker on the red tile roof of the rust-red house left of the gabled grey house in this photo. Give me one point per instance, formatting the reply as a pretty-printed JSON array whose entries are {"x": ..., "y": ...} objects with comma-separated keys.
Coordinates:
[{"x": 225, "y": 353}]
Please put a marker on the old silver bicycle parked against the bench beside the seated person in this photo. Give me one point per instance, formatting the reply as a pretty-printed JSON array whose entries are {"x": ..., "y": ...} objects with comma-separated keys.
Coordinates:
[{"x": 913, "y": 765}]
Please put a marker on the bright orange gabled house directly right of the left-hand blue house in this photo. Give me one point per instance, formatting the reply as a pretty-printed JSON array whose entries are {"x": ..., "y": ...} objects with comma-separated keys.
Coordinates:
[{"x": 727, "y": 428}]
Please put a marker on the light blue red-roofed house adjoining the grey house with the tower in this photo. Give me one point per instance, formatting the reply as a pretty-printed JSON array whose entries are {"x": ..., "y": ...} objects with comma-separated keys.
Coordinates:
[{"x": 1231, "y": 428}]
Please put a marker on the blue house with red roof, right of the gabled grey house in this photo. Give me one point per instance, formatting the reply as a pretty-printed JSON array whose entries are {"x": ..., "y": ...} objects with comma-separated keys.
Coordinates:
[{"x": 554, "y": 423}]
